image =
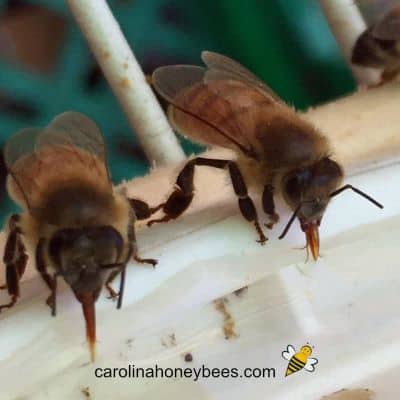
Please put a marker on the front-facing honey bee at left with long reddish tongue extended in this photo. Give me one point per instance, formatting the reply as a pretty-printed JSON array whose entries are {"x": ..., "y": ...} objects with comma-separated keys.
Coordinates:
[{"x": 80, "y": 228}]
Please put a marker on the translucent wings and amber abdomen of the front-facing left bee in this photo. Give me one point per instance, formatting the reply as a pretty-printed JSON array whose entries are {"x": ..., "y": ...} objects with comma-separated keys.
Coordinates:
[{"x": 69, "y": 148}]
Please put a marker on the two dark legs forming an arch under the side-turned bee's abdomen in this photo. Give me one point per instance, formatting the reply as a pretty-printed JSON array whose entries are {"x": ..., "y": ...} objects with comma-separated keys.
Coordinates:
[{"x": 181, "y": 198}]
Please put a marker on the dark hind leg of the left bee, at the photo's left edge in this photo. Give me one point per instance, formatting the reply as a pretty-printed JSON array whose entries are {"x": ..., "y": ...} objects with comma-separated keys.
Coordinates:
[{"x": 15, "y": 260}]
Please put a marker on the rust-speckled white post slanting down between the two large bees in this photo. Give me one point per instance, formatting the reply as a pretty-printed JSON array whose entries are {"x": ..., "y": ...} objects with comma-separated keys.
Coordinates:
[{"x": 127, "y": 80}]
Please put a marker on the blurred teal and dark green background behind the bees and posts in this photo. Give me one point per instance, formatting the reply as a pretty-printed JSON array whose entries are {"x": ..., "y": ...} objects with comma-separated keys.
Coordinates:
[{"x": 46, "y": 67}]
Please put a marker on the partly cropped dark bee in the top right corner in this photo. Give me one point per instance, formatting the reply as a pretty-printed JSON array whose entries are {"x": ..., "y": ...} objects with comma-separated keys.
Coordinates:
[{"x": 379, "y": 46}]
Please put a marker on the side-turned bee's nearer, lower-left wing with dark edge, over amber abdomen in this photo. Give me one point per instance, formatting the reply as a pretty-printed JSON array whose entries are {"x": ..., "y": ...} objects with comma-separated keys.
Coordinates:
[{"x": 197, "y": 110}]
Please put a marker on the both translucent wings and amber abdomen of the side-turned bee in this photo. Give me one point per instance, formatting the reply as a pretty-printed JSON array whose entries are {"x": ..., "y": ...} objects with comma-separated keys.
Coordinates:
[{"x": 218, "y": 105}]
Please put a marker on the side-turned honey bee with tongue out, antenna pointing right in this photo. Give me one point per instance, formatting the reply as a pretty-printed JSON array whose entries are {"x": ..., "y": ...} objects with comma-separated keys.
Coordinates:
[{"x": 226, "y": 105}]
